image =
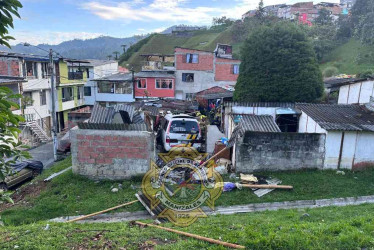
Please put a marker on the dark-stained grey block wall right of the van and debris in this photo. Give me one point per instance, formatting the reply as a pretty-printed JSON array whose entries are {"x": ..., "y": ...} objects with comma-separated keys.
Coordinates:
[{"x": 279, "y": 151}]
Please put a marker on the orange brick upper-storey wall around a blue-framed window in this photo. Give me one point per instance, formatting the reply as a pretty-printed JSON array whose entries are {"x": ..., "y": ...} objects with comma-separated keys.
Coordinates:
[{"x": 205, "y": 60}]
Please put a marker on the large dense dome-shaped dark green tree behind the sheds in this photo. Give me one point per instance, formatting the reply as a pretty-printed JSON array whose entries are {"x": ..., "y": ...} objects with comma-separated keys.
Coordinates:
[{"x": 278, "y": 64}]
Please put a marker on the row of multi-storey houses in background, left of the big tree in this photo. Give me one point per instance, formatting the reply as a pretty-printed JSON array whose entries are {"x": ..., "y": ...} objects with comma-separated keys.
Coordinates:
[{"x": 82, "y": 83}]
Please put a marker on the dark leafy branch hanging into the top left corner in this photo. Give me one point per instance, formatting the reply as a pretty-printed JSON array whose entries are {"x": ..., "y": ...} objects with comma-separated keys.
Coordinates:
[{"x": 7, "y": 8}]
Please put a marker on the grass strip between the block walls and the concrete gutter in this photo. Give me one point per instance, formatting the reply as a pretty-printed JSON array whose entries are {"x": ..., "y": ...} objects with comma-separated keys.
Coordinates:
[{"x": 71, "y": 195}]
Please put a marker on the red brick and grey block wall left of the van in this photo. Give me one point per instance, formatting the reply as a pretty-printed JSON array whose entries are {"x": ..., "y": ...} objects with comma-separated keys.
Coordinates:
[{"x": 114, "y": 155}]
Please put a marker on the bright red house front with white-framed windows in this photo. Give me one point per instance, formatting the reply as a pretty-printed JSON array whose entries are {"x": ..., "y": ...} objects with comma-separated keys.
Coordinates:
[{"x": 154, "y": 84}]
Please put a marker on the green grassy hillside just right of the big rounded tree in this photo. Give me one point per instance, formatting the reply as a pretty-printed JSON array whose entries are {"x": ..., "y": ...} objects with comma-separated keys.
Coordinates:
[{"x": 351, "y": 58}]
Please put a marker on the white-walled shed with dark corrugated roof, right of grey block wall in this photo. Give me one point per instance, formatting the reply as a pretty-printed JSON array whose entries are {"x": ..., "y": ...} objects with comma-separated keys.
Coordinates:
[{"x": 349, "y": 131}]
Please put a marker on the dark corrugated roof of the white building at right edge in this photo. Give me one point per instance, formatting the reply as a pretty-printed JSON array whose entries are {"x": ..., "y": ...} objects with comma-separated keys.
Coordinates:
[{"x": 340, "y": 117}]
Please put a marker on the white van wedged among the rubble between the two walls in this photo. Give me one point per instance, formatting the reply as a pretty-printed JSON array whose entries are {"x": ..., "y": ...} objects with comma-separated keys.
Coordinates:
[{"x": 177, "y": 130}]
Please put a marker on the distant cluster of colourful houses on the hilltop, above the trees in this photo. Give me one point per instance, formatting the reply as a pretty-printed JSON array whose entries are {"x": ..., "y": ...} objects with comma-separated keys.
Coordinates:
[{"x": 305, "y": 12}]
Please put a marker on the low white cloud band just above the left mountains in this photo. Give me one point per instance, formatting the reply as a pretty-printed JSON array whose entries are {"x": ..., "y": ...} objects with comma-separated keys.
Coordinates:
[{"x": 49, "y": 37}]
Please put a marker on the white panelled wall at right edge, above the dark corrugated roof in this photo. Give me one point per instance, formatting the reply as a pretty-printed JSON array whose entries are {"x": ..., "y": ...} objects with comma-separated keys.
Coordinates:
[{"x": 354, "y": 93}]
